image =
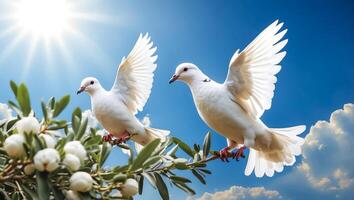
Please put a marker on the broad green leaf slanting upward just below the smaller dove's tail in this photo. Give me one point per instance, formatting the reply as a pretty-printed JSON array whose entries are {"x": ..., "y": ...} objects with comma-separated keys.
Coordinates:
[{"x": 144, "y": 154}]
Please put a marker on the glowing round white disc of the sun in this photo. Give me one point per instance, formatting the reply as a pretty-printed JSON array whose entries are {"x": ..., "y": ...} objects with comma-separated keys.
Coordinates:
[{"x": 43, "y": 17}]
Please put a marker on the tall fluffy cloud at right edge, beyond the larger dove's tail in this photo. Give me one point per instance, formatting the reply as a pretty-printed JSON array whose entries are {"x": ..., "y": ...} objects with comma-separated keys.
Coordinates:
[{"x": 328, "y": 154}]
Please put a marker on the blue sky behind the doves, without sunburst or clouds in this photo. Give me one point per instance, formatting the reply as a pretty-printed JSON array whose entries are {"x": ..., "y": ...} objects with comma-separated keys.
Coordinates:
[{"x": 316, "y": 76}]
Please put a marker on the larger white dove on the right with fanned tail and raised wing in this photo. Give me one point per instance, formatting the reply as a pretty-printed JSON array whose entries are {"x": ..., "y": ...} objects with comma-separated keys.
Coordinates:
[{"x": 234, "y": 107}]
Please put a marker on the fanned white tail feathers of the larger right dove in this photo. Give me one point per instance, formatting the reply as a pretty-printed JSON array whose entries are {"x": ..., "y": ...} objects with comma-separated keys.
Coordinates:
[{"x": 284, "y": 147}]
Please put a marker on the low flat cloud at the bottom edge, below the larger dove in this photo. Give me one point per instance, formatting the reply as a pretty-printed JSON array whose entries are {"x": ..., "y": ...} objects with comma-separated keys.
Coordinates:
[{"x": 239, "y": 192}]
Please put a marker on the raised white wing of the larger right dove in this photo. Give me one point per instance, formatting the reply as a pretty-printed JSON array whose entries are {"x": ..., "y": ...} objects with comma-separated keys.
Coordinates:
[{"x": 251, "y": 75}]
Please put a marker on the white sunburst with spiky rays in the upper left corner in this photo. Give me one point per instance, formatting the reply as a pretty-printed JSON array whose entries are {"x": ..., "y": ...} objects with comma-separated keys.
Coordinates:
[{"x": 46, "y": 27}]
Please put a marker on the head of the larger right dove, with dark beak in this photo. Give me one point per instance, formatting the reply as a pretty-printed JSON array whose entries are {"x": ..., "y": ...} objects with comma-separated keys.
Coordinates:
[{"x": 186, "y": 72}]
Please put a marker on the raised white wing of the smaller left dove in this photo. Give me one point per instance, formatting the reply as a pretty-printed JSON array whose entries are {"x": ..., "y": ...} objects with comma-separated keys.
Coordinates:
[{"x": 135, "y": 74}]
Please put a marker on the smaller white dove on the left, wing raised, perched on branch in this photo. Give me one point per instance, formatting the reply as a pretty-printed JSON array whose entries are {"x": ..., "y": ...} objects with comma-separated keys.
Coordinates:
[{"x": 116, "y": 109}]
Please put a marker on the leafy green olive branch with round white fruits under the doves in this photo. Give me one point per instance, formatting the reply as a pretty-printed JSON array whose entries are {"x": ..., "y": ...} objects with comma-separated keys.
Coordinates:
[{"x": 25, "y": 176}]
